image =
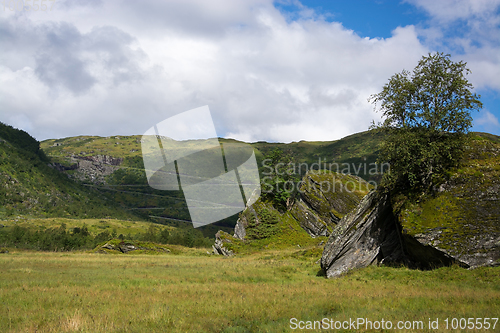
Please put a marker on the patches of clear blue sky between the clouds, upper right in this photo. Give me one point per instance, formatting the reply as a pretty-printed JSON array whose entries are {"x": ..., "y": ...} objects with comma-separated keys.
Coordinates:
[{"x": 377, "y": 19}]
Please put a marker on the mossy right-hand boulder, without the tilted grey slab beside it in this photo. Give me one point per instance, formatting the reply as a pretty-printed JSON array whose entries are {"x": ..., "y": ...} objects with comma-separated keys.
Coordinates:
[{"x": 462, "y": 219}]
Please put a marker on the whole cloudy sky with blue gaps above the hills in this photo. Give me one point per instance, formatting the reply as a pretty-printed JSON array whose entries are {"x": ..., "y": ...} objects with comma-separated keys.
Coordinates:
[{"x": 268, "y": 70}]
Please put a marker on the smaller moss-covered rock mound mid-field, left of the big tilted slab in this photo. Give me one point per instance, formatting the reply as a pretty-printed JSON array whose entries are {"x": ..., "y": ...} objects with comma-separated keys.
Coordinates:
[{"x": 324, "y": 197}]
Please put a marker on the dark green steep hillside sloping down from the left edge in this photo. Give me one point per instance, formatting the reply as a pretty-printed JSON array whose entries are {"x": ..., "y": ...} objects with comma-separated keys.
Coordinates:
[{"x": 28, "y": 186}]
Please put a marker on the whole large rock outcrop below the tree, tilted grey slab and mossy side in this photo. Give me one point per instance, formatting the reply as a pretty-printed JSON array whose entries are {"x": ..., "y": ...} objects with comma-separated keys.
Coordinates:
[{"x": 460, "y": 224}]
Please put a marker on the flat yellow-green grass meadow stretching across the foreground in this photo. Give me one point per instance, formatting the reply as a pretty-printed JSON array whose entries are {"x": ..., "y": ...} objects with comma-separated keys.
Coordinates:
[{"x": 196, "y": 292}]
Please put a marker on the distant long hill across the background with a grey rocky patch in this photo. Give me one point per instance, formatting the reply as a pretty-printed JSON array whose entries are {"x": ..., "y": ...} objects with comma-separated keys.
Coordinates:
[{"x": 113, "y": 165}]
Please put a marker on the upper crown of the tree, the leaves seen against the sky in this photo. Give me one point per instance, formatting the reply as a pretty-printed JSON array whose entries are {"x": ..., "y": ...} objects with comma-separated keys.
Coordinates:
[{"x": 436, "y": 96}]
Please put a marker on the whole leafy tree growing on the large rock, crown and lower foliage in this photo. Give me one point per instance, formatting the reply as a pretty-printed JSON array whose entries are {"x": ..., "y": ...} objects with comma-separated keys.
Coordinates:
[{"x": 427, "y": 114}]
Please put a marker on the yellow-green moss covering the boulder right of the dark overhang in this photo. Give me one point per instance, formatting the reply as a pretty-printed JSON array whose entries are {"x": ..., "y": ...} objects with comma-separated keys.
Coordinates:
[{"x": 469, "y": 209}]
